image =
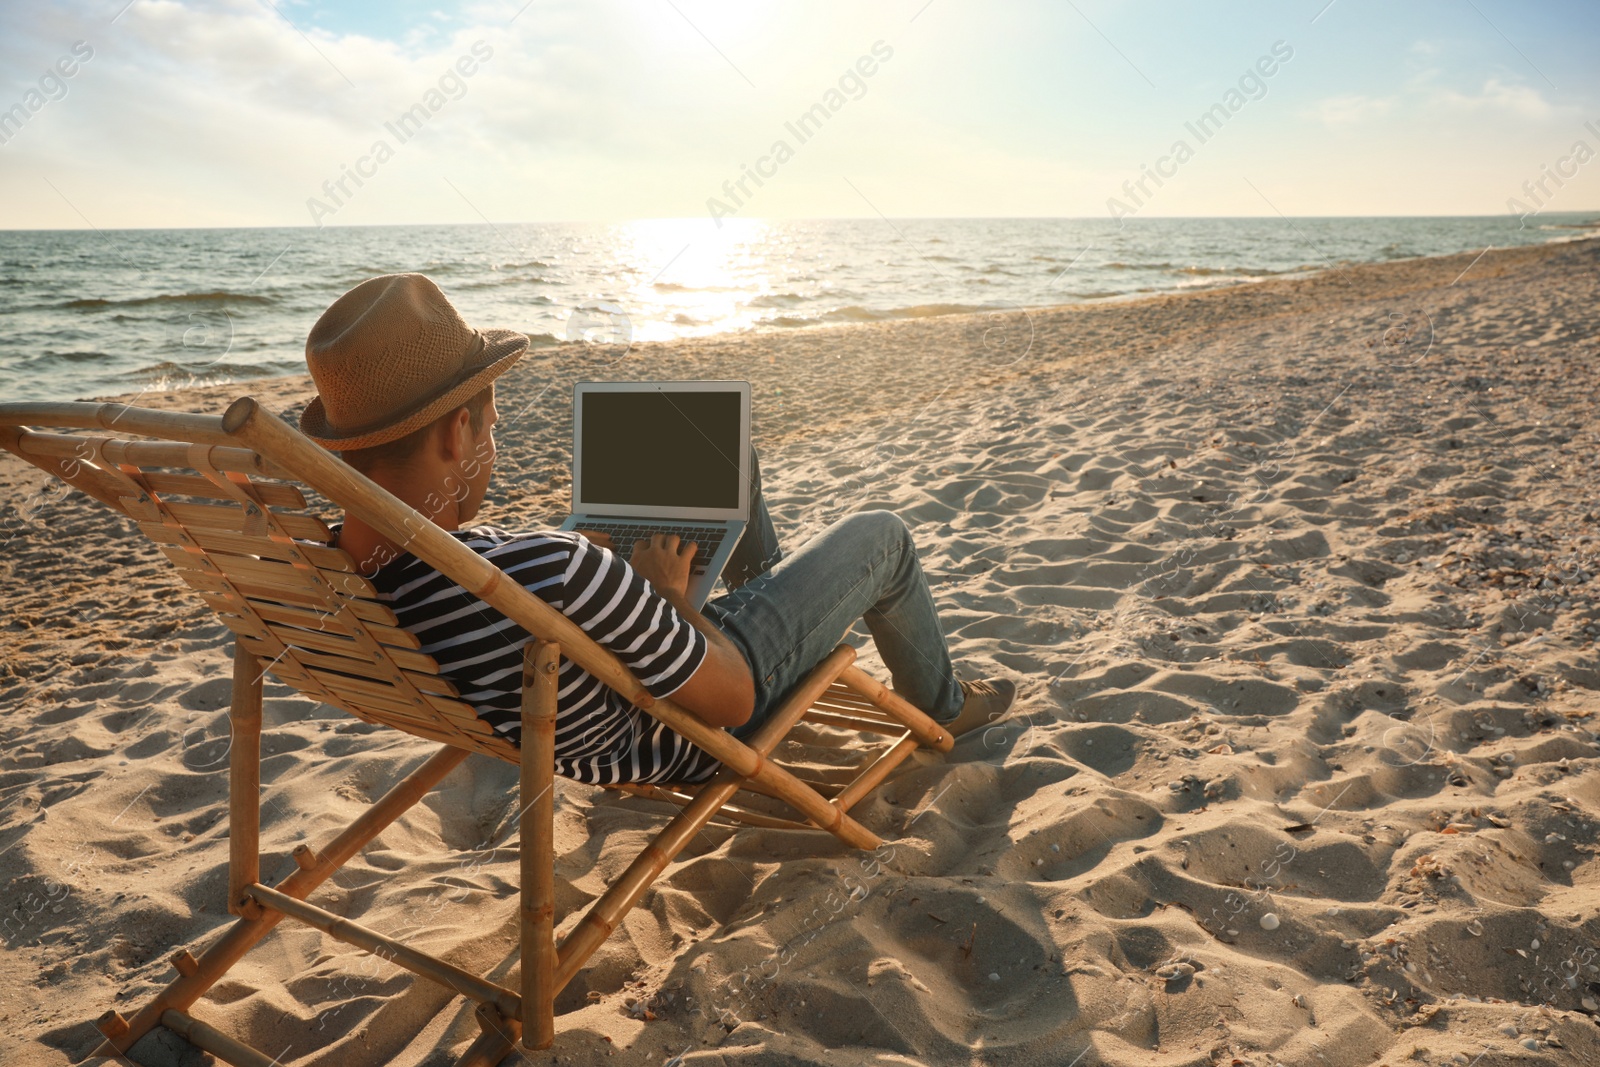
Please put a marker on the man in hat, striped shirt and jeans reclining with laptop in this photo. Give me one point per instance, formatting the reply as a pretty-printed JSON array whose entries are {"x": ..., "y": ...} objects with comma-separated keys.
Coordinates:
[{"x": 407, "y": 398}]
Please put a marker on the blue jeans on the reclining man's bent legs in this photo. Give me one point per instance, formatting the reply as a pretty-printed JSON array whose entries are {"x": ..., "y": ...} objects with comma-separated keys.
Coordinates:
[{"x": 790, "y": 612}]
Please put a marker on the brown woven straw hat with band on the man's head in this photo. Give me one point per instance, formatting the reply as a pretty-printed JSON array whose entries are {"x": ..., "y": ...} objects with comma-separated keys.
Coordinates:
[{"x": 391, "y": 356}]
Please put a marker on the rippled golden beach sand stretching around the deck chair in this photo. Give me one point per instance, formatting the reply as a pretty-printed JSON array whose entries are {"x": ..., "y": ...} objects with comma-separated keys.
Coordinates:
[{"x": 1297, "y": 586}]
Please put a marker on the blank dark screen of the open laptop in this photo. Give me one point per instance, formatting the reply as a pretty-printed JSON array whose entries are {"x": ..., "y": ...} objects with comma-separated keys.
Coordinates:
[{"x": 662, "y": 449}]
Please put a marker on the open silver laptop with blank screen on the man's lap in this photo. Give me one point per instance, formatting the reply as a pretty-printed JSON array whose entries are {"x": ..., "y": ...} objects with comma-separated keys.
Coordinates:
[{"x": 665, "y": 458}]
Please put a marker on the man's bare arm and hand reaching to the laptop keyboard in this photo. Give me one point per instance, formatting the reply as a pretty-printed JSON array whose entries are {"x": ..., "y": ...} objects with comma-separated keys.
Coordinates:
[{"x": 722, "y": 689}]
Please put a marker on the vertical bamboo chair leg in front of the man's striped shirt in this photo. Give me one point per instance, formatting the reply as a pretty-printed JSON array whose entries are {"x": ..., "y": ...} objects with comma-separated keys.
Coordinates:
[{"x": 542, "y": 665}]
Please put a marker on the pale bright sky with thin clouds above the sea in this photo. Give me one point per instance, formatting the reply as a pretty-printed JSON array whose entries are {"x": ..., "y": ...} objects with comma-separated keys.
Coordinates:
[{"x": 287, "y": 113}]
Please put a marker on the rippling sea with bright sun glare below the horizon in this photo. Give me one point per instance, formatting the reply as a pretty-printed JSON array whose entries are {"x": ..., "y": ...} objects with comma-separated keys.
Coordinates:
[{"x": 100, "y": 313}]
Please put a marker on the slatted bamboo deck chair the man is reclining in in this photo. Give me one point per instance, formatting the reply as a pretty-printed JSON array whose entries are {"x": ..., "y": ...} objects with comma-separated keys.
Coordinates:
[{"x": 217, "y": 495}]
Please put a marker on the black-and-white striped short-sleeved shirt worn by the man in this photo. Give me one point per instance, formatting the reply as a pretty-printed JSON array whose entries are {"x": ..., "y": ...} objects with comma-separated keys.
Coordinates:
[{"x": 601, "y": 737}]
